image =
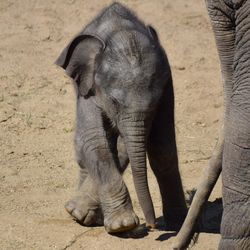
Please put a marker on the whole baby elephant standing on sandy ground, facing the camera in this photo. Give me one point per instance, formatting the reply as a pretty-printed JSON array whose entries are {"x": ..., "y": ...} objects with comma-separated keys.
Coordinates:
[{"x": 125, "y": 108}]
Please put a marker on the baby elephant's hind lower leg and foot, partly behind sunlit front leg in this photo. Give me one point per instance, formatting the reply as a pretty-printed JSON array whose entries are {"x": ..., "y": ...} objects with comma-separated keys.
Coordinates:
[{"x": 85, "y": 206}]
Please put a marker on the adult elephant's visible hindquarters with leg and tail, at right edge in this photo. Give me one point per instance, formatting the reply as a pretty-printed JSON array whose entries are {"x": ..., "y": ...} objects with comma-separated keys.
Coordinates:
[{"x": 231, "y": 24}]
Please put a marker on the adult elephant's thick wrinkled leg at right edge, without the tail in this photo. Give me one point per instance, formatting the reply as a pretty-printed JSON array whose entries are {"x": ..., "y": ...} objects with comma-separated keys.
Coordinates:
[{"x": 235, "y": 227}]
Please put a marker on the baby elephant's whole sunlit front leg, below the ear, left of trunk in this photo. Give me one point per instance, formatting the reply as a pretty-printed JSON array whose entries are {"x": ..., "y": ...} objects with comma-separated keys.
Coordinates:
[{"x": 94, "y": 145}]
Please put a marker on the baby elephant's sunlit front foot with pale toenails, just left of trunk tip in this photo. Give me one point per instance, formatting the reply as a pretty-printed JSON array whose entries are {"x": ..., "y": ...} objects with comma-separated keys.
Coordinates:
[{"x": 121, "y": 221}]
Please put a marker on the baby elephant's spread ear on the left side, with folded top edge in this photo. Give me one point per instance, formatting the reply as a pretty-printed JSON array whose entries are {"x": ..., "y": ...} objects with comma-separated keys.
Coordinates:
[{"x": 79, "y": 60}]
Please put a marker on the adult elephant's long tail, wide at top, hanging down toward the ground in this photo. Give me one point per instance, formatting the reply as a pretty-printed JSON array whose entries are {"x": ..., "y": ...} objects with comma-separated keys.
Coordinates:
[{"x": 224, "y": 31}]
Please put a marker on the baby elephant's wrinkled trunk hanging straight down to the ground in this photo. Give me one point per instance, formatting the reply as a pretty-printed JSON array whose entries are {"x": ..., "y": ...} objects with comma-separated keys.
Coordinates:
[{"x": 135, "y": 136}]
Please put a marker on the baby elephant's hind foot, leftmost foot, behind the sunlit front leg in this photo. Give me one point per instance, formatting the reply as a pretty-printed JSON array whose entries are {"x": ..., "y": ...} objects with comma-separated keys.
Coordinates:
[{"x": 85, "y": 210}]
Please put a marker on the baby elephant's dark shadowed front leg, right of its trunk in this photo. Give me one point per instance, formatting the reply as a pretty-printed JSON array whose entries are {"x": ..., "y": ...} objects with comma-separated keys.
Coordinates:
[{"x": 162, "y": 154}]
